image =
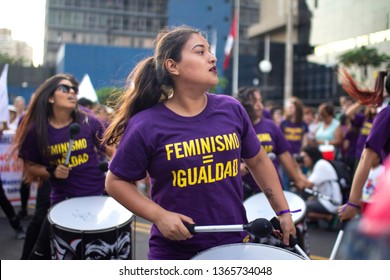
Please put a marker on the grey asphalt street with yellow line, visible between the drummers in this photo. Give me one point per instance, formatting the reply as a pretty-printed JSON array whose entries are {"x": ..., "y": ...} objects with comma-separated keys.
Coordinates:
[{"x": 321, "y": 240}]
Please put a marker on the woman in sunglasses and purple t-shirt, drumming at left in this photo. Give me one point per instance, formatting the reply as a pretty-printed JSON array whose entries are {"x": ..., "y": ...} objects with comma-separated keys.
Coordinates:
[{"x": 42, "y": 140}]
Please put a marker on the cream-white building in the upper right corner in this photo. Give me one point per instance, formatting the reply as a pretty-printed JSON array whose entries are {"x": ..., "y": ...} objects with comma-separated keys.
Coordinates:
[{"x": 340, "y": 26}]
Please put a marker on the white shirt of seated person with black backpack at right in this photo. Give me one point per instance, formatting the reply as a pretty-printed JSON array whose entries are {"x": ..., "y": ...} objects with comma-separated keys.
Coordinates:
[{"x": 324, "y": 178}]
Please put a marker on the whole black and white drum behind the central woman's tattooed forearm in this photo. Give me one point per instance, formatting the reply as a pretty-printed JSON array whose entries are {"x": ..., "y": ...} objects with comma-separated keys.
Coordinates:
[{"x": 257, "y": 206}]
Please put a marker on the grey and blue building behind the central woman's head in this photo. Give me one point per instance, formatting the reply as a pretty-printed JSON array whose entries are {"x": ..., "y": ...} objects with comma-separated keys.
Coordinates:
[{"x": 79, "y": 34}]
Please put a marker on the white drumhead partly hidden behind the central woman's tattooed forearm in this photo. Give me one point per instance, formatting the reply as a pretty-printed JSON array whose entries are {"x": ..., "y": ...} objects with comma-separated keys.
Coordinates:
[{"x": 257, "y": 206}]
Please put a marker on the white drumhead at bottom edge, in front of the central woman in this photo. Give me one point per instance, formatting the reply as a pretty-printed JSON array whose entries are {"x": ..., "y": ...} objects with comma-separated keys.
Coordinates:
[{"x": 247, "y": 251}]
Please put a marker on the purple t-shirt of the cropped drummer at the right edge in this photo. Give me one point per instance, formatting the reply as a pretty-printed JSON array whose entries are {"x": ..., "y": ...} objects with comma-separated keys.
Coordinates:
[{"x": 379, "y": 138}]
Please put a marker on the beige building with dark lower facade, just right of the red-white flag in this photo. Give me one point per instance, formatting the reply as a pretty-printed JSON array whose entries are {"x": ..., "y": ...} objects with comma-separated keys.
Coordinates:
[{"x": 272, "y": 31}]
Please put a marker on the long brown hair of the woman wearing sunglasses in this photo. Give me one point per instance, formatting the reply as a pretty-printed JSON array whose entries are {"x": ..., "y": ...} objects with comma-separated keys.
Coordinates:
[{"x": 40, "y": 111}]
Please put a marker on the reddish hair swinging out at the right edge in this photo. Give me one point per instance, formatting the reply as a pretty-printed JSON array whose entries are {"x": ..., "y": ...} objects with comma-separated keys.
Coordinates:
[{"x": 365, "y": 96}]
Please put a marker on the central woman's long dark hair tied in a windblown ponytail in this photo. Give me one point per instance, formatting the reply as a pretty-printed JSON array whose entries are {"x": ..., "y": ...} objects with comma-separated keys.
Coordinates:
[{"x": 149, "y": 83}]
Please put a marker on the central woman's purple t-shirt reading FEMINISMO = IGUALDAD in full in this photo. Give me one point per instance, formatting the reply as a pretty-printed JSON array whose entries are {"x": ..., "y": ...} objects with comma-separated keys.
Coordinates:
[{"x": 193, "y": 164}]
